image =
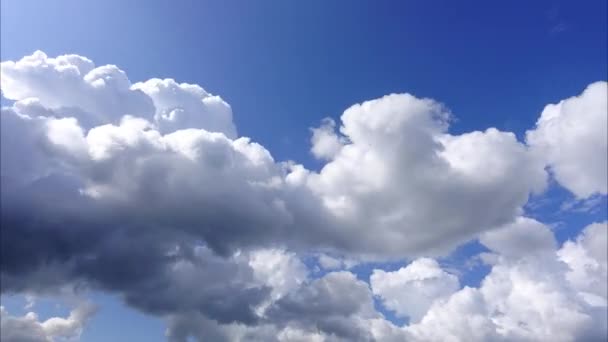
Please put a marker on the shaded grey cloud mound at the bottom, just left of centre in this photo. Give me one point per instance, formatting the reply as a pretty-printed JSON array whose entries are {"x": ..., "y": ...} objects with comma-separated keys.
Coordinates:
[{"x": 335, "y": 307}]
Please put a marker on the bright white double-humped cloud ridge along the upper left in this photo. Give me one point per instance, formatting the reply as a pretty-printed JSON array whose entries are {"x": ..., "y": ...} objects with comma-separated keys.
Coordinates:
[{"x": 72, "y": 86}]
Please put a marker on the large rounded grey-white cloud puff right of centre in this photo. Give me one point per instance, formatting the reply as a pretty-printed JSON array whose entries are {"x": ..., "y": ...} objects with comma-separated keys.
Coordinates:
[{"x": 405, "y": 184}]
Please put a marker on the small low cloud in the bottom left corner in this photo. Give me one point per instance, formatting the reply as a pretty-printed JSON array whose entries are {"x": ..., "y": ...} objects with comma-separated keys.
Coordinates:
[{"x": 28, "y": 328}]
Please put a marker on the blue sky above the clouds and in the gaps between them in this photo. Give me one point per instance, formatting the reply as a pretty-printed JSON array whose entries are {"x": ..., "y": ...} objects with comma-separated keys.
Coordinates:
[{"x": 285, "y": 65}]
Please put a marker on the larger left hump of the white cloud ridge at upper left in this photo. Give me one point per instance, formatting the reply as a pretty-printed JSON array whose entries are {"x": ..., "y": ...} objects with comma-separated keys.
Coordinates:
[{"x": 73, "y": 84}]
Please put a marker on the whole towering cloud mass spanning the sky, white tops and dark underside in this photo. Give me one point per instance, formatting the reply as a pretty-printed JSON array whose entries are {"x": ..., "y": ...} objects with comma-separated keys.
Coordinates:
[{"x": 146, "y": 190}]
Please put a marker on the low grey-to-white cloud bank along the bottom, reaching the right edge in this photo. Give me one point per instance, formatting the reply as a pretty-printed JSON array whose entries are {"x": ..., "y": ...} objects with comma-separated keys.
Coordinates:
[{"x": 536, "y": 295}]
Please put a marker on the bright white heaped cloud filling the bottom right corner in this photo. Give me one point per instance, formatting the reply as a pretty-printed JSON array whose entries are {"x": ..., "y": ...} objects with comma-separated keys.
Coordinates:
[{"x": 528, "y": 296}]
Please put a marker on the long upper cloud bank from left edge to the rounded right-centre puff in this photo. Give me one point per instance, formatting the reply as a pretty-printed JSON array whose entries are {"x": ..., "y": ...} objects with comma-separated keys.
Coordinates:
[{"x": 161, "y": 150}]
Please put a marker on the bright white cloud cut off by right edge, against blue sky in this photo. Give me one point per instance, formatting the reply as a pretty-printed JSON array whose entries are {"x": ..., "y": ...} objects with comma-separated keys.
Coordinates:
[{"x": 572, "y": 136}]
